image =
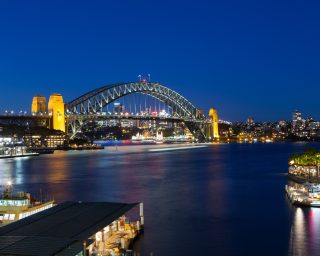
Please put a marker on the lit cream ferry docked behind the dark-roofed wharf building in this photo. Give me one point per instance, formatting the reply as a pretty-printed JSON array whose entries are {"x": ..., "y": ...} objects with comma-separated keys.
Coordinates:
[{"x": 14, "y": 207}]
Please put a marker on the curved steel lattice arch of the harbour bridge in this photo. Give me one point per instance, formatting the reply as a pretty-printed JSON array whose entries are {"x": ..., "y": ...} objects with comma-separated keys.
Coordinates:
[{"x": 95, "y": 101}]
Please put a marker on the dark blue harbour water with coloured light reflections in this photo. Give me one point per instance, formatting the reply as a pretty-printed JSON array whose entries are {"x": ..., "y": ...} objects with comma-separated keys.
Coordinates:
[{"x": 219, "y": 200}]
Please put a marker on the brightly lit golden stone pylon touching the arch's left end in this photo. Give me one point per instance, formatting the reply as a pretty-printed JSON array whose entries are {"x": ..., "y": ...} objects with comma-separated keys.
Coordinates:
[{"x": 56, "y": 110}]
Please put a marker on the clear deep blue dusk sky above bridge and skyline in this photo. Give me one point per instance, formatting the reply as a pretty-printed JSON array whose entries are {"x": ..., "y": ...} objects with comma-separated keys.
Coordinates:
[{"x": 246, "y": 58}]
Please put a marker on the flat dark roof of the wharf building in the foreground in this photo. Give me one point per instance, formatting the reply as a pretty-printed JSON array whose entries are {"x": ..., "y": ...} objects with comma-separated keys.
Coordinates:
[{"x": 59, "y": 230}]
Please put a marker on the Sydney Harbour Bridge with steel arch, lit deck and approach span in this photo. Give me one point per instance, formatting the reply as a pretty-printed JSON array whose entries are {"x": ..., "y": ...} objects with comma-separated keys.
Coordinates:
[{"x": 133, "y": 101}]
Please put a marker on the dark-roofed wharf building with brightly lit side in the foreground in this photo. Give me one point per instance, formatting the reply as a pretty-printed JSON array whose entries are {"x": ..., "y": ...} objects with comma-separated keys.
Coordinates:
[{"x": 74, "y": 229}]
